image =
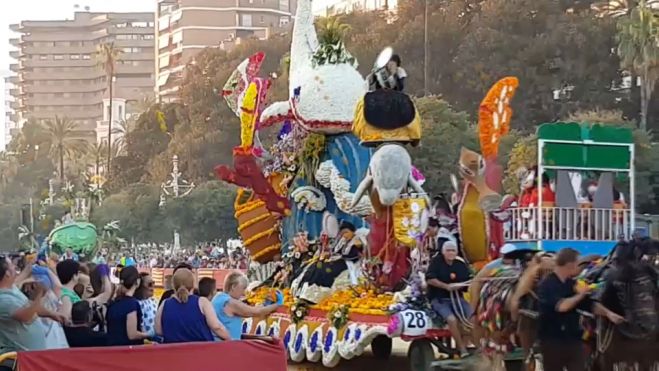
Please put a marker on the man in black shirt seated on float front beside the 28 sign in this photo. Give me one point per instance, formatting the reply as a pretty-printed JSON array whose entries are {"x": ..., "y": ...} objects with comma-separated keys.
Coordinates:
[{"x": 445, "y": 274}]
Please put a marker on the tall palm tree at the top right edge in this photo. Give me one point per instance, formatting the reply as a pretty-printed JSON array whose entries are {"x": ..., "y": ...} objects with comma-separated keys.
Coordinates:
[{"x": 638, "y": 48}]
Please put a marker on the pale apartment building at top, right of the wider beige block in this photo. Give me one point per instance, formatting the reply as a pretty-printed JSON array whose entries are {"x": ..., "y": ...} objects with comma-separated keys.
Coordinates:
[{"x": 187, "y": 26}]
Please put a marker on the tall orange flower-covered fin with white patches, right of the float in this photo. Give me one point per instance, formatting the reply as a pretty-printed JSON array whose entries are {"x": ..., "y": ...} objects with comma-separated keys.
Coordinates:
[{"x": 494, "y": 115}]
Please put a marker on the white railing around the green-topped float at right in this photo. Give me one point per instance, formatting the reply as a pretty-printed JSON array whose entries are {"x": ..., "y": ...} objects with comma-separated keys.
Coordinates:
[{"x": 558, "y": 223}]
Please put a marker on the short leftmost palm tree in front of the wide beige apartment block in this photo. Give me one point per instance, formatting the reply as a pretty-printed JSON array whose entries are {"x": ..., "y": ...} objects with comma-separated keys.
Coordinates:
[{"x": 63, "y": 141}]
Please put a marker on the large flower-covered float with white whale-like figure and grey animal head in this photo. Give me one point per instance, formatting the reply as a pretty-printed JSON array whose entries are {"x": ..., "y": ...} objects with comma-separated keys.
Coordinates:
[{"x": 300, "y": 207}]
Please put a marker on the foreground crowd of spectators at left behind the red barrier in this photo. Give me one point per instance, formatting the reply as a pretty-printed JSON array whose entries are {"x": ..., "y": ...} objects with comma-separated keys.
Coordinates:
[{"x": 64, "y": 303}]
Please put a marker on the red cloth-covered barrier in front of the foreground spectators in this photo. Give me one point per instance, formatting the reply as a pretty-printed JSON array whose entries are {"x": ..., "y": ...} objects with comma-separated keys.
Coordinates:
[{"x": 247, "y": 355}]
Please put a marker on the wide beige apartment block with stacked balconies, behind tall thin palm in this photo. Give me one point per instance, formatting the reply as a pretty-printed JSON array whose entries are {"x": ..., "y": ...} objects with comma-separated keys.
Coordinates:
[{"x": 56, "y": 73}]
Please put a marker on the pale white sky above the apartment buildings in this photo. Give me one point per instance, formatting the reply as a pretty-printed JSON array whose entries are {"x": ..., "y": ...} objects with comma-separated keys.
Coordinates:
[{"x": 17, "y": 11}]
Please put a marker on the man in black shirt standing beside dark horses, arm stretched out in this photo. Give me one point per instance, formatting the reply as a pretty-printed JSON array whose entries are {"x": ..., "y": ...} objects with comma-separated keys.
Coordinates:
[{"x": 559, "y": 329}]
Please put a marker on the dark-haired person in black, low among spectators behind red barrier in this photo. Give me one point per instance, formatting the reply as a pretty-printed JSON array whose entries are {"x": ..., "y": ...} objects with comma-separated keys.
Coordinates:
[{"x": 80, "y": 333}]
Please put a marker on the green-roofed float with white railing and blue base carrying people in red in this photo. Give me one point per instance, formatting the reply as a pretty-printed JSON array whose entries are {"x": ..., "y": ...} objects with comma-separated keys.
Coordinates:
[{"x": 581, "y": 190}]
